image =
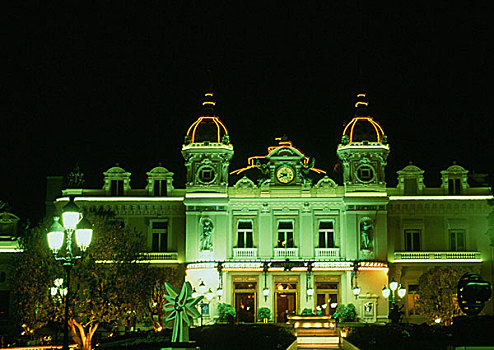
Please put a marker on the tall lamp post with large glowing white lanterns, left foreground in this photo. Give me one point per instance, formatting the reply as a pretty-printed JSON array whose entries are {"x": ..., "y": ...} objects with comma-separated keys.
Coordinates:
[{"x": 73, "y": 221}]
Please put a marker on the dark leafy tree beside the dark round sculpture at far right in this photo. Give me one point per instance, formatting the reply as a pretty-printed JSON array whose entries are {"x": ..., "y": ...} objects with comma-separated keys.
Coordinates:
[{"x": 437, "y": 294}]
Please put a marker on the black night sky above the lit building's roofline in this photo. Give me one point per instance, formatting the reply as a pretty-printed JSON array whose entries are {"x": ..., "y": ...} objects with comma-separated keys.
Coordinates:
[{"x": 121, "y": 83}]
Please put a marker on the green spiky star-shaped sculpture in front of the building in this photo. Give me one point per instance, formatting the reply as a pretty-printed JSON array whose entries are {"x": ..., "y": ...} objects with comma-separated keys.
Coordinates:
[{"x": 182, "y": 308}]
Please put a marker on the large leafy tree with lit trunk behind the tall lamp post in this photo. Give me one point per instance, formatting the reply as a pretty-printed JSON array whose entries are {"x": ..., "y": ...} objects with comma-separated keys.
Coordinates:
[{"x": 105, "y": 284}]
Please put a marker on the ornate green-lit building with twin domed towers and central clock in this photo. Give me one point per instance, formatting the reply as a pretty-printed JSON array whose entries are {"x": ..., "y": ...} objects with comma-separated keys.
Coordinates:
[{"x": 280, "y": 233}]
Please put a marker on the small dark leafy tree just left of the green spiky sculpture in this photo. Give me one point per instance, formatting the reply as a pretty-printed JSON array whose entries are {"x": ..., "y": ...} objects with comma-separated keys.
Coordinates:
[{"x": 153, "y": 296}]
